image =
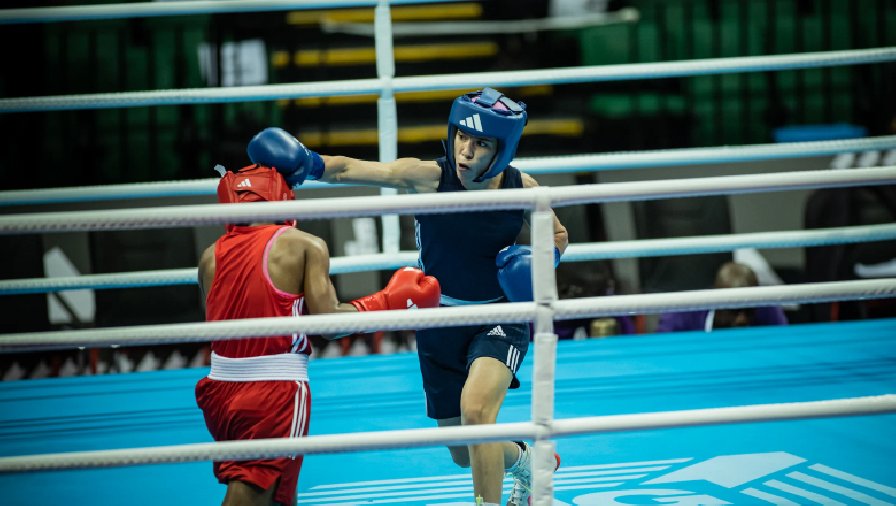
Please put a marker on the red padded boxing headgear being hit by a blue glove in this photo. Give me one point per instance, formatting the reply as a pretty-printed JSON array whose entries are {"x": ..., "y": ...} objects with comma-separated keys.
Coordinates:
[{"x": 254, "y": 183}]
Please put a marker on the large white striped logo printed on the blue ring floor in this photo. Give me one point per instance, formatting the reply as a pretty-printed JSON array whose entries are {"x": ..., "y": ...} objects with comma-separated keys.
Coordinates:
[{"x": 760, "y": 478}]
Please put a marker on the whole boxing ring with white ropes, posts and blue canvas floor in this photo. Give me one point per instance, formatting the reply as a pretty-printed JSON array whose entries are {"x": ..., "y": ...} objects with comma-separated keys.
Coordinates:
[{"x": 795, "y": 415}]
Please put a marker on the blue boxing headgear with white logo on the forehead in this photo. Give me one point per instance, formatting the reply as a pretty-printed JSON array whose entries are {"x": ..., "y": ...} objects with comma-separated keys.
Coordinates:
[{"x": 488, "y": 113}]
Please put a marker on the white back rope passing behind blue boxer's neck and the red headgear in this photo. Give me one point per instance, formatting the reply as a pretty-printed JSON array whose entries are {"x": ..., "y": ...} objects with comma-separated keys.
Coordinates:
[{"x": 536, "y": 165}]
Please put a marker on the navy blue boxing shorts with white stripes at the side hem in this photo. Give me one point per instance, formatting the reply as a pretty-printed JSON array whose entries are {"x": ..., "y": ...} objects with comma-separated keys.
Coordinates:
[{"x": 446, "y": 355}]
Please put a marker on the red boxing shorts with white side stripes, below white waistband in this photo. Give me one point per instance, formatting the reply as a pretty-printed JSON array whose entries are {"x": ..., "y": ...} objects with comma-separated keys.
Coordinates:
[{"x": 237, "y": 410}]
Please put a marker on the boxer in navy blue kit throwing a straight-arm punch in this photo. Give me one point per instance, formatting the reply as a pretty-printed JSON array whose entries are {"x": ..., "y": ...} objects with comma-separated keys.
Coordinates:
[{"x": 466, "y": 370}]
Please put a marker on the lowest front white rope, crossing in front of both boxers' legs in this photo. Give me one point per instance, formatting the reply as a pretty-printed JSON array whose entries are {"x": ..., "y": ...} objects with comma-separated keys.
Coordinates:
[{"x": 438, "y": 436}]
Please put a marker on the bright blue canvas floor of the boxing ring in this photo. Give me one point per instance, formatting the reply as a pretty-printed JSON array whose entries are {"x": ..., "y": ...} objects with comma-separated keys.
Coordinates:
[{"x": 849, "y": 460}]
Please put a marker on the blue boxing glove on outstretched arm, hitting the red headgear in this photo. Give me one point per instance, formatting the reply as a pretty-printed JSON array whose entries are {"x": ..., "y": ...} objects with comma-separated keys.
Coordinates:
[{"x": 277, "y": 148}]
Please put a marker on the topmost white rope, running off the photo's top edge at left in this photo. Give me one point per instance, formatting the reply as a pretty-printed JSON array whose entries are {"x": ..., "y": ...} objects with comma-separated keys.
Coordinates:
[{"x": 178, "y": 8}]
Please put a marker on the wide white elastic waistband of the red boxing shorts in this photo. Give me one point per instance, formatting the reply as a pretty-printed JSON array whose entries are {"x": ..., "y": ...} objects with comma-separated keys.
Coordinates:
[{"x": 287, "y": 366}]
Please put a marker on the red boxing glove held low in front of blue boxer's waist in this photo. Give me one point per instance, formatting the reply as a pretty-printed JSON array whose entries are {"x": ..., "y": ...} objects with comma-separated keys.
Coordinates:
[{"x": 408, "y": 288}]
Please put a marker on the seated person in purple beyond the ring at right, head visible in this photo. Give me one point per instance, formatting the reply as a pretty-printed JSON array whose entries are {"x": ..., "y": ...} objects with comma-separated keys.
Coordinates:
[{"x": 730, "y": 275}]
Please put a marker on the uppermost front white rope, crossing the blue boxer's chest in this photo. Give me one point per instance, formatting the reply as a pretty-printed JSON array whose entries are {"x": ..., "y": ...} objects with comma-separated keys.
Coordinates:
[{"x": 210, "y": 214}]
